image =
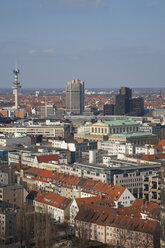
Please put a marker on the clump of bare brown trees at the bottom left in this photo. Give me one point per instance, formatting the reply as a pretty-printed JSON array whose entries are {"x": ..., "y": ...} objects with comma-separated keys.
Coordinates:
[{"x": 35, "y": 228}]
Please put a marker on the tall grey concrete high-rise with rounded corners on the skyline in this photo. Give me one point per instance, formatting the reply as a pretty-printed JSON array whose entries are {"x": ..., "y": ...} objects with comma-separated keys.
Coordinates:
[{"x": 75, "y": 97}]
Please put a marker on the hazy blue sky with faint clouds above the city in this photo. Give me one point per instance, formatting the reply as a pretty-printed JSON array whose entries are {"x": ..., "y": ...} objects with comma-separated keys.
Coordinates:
[{"x": 105, "y": 43}]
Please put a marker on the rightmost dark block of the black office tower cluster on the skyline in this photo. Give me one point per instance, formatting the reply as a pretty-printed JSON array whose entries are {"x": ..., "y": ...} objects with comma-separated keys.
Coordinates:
[{"x": 137, "y": 106}]
